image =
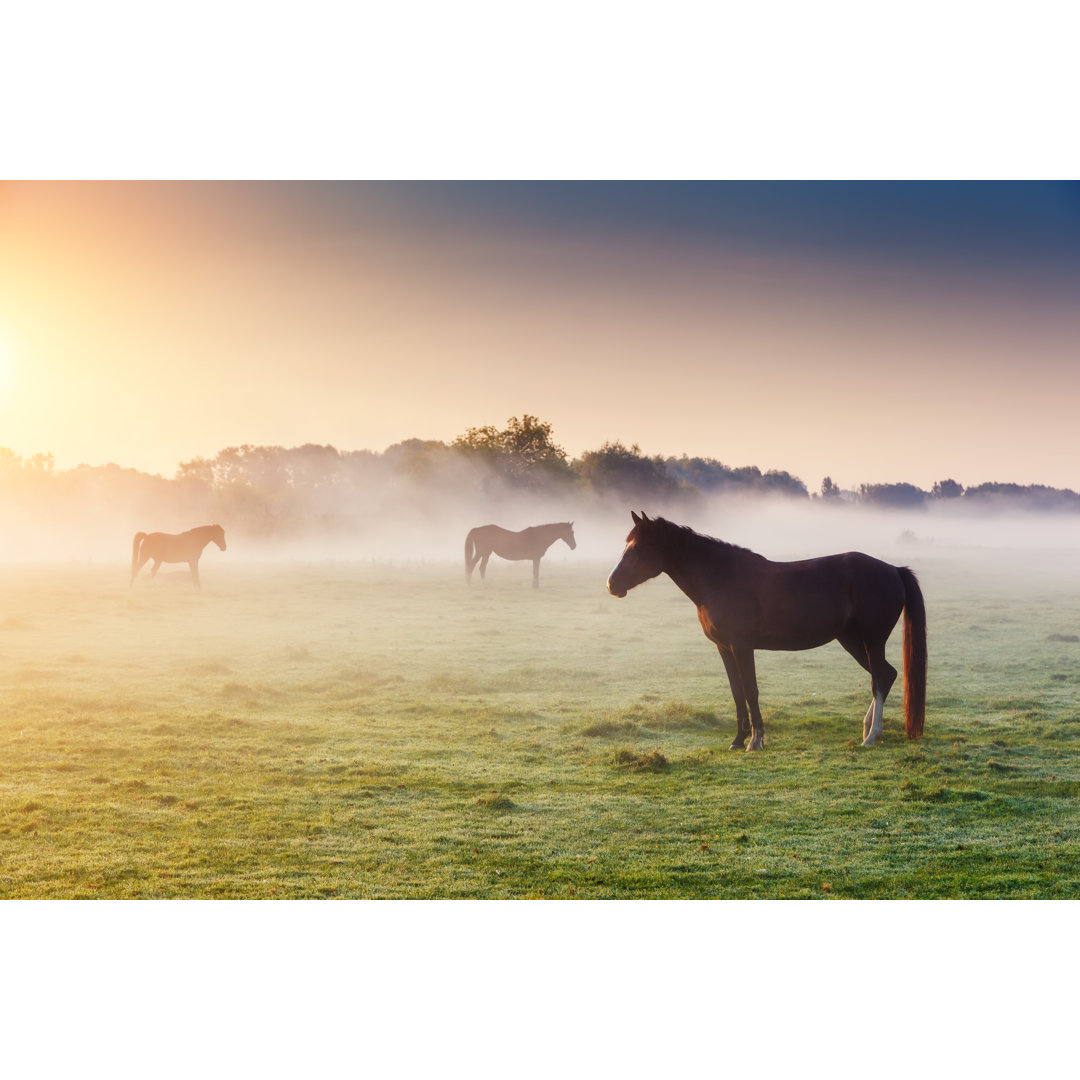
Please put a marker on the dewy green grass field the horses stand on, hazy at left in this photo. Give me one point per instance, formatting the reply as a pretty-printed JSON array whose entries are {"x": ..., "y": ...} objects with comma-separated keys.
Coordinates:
[{"x": 381, "y": 731}]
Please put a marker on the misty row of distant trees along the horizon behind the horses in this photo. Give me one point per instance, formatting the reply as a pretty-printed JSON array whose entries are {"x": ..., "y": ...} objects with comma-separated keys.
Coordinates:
[{"x": 271, "y": 491}]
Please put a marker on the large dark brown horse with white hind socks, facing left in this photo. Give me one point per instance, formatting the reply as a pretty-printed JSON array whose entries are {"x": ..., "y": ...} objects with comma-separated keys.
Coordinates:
[{"x": 746, "y": 603}]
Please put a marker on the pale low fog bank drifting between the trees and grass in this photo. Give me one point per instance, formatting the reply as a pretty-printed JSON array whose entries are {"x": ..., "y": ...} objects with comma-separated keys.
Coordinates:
[{"x": 396, "y": 521}]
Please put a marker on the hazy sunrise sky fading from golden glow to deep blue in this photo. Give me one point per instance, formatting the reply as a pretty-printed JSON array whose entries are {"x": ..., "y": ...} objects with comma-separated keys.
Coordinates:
[{"x": 871, "y": 332}]
